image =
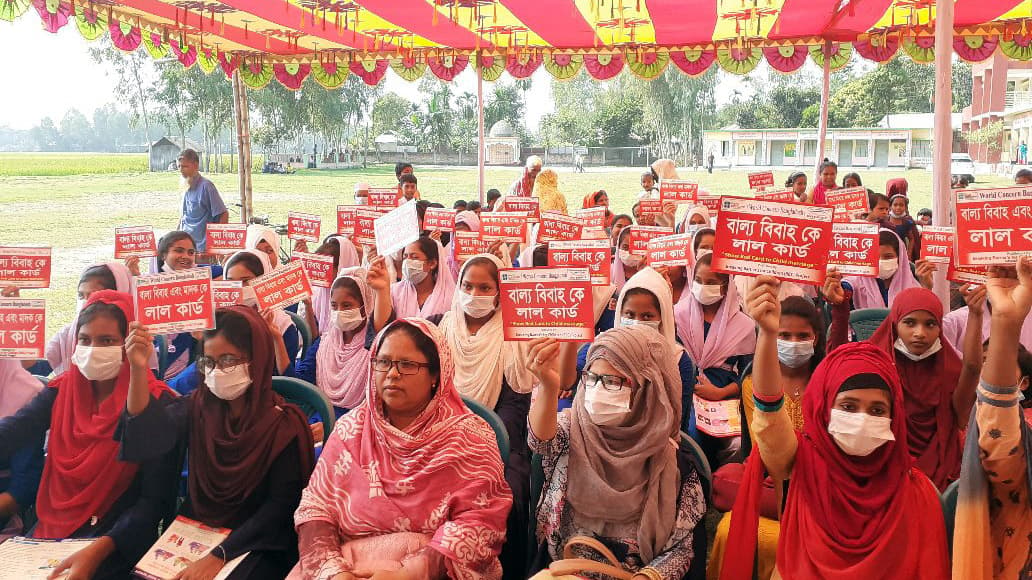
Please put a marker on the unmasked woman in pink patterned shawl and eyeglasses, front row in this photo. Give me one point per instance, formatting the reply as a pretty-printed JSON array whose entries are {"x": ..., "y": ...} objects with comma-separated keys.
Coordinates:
[{"x": 411, "y": 482}]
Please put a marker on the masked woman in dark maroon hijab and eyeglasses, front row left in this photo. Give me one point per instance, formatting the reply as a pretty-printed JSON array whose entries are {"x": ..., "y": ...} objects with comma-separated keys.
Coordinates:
[{"x": 250, "y": 453}]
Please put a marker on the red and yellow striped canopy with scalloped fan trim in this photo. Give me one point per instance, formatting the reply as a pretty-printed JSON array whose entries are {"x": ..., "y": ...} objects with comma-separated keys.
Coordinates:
[{"x": 330, "y": 40}]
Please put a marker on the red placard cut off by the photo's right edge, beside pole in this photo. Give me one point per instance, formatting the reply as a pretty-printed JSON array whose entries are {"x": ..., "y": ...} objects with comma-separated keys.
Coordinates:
[{"x": 994, "y": 227}]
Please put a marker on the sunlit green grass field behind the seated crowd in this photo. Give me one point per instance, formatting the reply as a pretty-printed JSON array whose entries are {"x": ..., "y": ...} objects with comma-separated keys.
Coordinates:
[{"x": 74, "y": 202}]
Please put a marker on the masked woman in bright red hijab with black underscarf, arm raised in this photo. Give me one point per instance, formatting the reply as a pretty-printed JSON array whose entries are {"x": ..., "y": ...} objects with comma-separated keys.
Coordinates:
[{"x": 857, "y": 506}]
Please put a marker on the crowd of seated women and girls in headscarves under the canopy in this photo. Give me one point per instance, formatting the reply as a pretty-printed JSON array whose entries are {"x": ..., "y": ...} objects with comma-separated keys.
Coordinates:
[{"x": 846, "y": 447}]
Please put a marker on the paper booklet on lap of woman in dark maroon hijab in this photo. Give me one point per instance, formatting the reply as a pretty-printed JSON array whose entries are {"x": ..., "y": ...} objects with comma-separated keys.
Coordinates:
[{"x": 183, "y": 543}]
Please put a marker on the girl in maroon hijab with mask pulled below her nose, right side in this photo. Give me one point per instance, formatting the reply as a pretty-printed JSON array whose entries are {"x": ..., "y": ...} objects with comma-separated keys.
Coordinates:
[{"x": 939, "y": 389}]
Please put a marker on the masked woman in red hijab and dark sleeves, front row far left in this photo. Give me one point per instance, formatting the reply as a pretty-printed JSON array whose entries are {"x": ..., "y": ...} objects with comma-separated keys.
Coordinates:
[{"x": 88, "y": 491}]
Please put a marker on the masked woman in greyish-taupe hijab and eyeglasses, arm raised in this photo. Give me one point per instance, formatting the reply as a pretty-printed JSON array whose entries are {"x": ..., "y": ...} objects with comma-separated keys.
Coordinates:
[{"x": 612, "y": 468}]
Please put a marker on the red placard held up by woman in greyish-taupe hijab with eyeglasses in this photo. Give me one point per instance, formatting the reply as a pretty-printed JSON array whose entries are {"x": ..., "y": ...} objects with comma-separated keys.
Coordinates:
[{"x": 547, "y": 304}]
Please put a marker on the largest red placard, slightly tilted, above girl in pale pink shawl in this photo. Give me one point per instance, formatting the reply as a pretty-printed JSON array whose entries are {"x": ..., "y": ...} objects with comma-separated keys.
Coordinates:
[{"x": 789, "y": 241}]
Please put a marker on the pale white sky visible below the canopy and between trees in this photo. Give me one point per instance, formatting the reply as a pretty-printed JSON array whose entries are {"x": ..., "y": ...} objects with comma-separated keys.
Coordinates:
[{"x": 56, "y": 74}]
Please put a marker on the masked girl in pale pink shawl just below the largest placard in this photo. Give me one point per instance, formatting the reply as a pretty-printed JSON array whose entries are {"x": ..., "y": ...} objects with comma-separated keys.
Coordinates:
[{"x": 721, "y": 340}]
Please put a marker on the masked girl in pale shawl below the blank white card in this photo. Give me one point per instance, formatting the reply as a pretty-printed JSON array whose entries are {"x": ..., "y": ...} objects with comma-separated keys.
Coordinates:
[{"x": 427, "y": 288}]
